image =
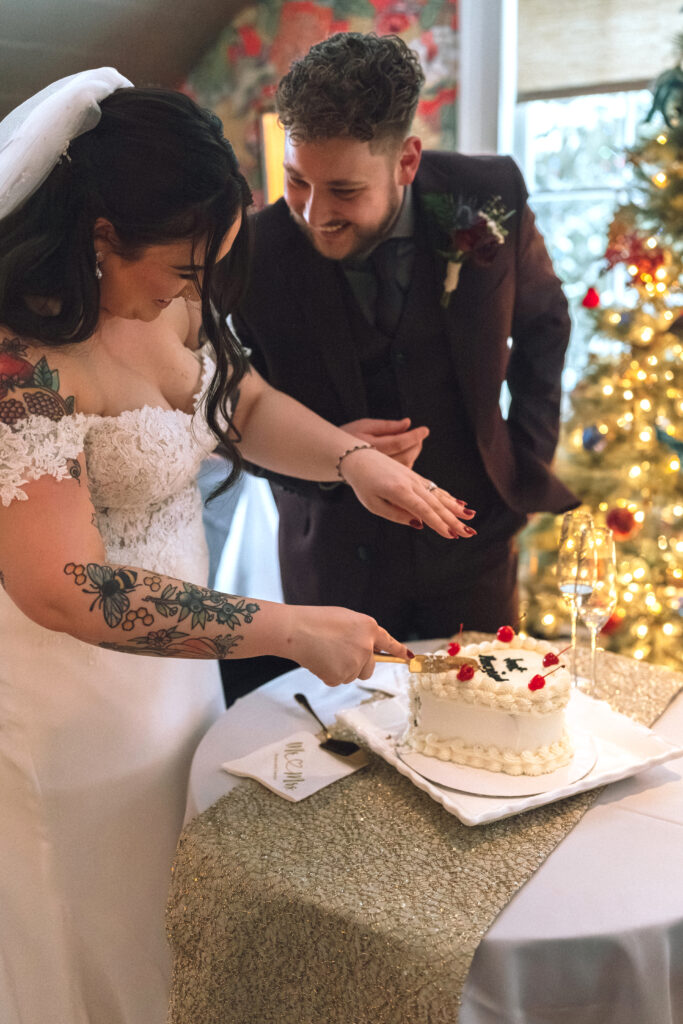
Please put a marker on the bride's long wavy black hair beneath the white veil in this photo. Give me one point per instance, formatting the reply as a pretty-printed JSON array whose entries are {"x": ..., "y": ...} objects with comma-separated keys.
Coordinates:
[{"x": 158, "y": 167}]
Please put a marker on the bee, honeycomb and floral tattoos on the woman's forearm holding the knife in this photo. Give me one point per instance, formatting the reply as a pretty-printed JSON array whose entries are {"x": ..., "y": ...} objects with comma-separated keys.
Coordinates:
[{"x": 133, "y": 602}]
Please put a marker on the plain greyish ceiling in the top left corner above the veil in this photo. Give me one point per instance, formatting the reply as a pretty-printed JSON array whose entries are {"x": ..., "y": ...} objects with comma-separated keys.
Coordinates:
[{"x": 152, "y": 42}]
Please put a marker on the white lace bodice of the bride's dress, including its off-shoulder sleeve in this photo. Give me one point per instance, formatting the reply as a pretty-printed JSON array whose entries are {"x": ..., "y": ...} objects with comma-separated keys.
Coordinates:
[{"x": 142, "y": 466}]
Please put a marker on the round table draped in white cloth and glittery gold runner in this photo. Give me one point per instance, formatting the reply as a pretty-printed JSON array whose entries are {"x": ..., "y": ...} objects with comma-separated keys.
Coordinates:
[{"x": 359, "y": 906}]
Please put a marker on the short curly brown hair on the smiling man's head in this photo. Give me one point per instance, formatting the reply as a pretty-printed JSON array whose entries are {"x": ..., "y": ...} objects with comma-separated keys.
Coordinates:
[{"x": 352, "y": 87}]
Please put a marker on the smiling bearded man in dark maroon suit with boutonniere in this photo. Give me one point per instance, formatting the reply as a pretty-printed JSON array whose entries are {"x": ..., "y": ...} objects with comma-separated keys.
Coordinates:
[{"x": 347, "y": 313}]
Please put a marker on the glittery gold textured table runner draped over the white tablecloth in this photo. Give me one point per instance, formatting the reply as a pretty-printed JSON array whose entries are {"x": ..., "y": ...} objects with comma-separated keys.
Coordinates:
[{"x": 364, "y": 904}]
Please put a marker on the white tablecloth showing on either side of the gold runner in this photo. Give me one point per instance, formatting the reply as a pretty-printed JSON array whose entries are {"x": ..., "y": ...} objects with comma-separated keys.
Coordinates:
[{"x": 596, "y": 935}]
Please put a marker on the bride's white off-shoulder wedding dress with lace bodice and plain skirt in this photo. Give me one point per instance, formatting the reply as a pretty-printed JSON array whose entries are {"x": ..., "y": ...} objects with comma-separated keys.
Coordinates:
[{"x": 96, "y": 746}]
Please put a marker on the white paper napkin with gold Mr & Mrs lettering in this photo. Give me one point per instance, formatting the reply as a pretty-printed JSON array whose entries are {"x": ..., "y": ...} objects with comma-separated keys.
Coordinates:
[{"x": 295, "y": 766}]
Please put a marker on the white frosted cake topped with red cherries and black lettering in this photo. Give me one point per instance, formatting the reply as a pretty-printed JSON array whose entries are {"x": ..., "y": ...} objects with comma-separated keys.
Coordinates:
[{"x": 506, "y": 715}]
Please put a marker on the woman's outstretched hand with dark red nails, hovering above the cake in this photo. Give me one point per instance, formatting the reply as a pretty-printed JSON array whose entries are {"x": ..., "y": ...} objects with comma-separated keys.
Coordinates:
[{"x": 397, "y": 493}]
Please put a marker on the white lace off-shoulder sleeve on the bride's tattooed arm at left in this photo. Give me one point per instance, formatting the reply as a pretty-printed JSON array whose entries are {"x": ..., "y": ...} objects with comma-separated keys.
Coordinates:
[{"x": 36, "y": 447}]
